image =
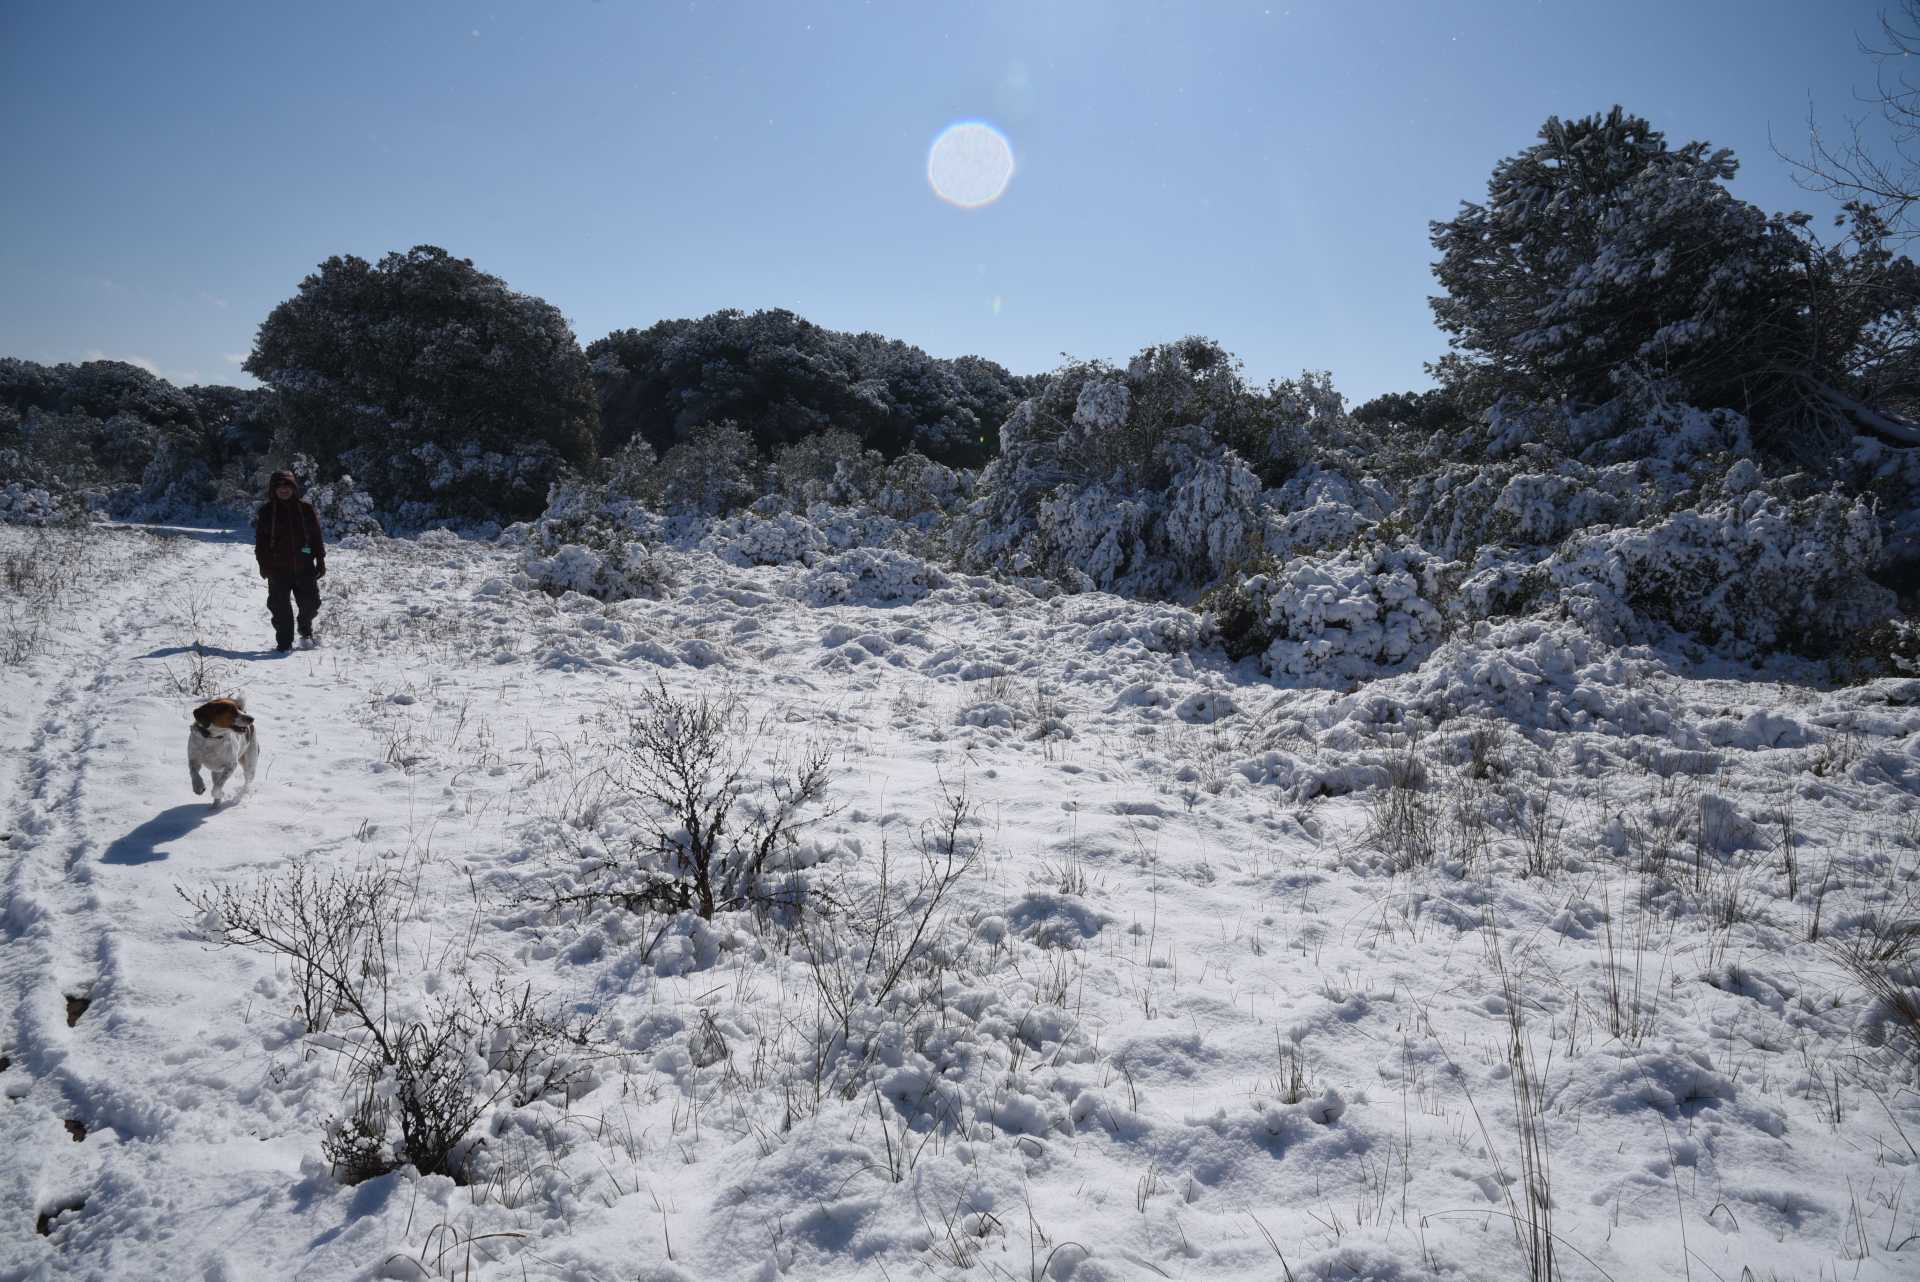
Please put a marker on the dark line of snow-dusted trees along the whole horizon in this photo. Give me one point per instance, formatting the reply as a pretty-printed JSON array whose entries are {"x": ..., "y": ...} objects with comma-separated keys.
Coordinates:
[{"x": 1602, "y": 268}]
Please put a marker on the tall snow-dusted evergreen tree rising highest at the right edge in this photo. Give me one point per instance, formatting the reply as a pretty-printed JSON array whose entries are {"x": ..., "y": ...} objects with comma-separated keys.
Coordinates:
[{"x": 1606, "y": 262}]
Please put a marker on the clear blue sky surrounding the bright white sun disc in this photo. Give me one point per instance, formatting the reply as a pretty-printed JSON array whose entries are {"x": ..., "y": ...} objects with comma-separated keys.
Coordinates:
[{"x": 1262, "y": 174}]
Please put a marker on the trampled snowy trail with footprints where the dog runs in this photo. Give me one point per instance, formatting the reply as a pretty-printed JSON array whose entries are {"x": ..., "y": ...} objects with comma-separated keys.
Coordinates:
[{"x": 114, "y": 1012}]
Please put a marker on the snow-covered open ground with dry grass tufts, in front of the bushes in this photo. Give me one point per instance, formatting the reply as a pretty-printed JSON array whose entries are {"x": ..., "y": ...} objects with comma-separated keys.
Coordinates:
[{"x": 1529, "y": 947}]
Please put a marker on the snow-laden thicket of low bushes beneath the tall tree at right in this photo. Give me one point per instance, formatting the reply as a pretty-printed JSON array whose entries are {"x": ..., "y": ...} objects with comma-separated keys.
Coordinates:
[{"x": 1635, "y": 529}]
